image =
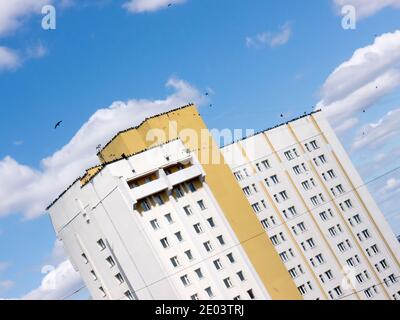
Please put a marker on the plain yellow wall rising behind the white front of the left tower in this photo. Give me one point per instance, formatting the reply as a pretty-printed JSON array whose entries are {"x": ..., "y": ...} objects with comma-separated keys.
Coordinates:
[{"x": 225, "y": 189}]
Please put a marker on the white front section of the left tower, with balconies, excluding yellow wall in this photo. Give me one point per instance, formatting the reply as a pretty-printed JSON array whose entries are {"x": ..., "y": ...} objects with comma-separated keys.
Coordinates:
[{"x": 128, "y": 243}]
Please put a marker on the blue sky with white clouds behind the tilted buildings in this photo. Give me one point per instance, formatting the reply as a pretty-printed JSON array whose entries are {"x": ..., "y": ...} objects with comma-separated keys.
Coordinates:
[{"x": 258, "y": 59}]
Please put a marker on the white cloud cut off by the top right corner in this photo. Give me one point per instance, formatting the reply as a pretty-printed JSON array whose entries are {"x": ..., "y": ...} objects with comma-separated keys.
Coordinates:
[{"x": 366, "y": 8}]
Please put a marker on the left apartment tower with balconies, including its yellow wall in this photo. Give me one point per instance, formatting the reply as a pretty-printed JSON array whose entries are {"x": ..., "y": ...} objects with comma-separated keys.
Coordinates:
[{"x": 153, "y": 222}]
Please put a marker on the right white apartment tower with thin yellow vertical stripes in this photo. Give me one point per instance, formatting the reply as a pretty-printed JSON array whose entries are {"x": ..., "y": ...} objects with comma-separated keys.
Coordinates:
[{"x": 317, "y": 211}]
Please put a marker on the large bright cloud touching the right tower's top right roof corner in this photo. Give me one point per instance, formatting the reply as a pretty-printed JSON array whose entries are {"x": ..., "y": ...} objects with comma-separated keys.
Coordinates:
[{"x": 358, "y": 83}]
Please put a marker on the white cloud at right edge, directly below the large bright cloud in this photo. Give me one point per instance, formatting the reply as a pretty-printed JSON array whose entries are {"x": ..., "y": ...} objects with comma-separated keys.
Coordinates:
[{"x": 375, "y": 135}]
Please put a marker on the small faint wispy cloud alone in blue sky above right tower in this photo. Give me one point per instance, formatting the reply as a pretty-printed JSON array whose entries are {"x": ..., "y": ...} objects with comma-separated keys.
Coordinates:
[{"x": 271, "y": 39}]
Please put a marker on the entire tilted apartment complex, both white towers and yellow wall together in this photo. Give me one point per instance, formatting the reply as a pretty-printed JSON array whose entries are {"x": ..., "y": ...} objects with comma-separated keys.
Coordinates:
[{"x": 283, "y": 214}]
